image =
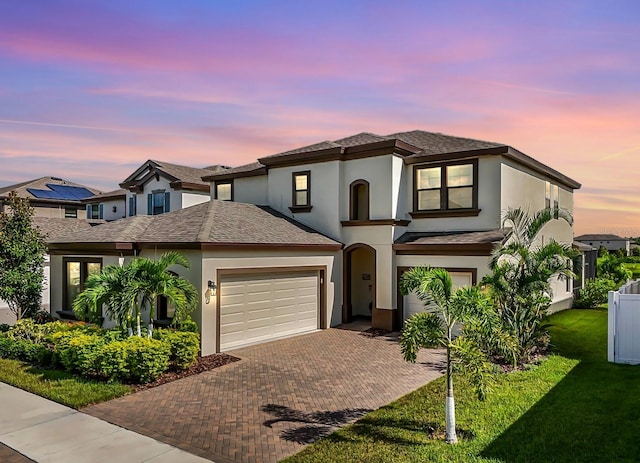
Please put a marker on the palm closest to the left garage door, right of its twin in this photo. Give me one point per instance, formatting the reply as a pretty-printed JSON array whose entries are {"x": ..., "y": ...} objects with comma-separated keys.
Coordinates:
[{"x": 153, "y": 280}]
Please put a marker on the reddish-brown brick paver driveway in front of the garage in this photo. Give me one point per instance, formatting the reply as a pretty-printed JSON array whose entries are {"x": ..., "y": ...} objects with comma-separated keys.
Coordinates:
[{"x": 281, "y": 396}]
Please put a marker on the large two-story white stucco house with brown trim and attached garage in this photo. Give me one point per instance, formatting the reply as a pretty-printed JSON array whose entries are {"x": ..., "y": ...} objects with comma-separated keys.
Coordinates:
[{"x": 329, "y": 230}]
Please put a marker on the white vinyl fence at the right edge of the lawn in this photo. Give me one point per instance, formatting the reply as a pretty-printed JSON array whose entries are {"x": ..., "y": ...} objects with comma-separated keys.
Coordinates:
[{"x": 624, "y": 324}]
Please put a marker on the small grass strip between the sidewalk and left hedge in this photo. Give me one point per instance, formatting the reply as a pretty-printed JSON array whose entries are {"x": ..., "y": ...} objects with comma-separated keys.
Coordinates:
[{"x": 58, "y": 385}]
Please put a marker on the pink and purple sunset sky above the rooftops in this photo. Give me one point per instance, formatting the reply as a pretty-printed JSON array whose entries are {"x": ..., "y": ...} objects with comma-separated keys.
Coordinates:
[{"x": 90, "y": 90}]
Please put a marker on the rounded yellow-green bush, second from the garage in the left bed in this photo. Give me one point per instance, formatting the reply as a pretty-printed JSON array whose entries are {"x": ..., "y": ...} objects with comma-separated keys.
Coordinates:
[{"x": 146, "y": 358}]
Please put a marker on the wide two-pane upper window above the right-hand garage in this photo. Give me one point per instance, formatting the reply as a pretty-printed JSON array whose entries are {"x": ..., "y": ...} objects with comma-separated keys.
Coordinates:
[{"x": 447, "y": 187}]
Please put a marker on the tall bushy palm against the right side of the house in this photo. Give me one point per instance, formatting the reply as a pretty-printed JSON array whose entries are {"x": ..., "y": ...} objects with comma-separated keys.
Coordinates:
[{"x": 522, "y": 267}]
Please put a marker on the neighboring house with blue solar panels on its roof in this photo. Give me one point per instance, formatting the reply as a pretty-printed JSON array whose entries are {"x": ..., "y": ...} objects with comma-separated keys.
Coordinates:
[{"x": 51, "y": 197}]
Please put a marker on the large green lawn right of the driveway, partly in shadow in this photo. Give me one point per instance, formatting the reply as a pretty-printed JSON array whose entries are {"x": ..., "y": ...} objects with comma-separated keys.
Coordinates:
[{"x": 573, "y": 407}]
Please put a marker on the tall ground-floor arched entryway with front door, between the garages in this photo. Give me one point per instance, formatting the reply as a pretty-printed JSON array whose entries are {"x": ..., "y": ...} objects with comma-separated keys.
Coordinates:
[{"x": 359, "y": 282}]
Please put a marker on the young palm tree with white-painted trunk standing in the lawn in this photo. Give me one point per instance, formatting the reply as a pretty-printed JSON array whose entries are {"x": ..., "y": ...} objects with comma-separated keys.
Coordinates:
[{"x": 435, "y": 328}]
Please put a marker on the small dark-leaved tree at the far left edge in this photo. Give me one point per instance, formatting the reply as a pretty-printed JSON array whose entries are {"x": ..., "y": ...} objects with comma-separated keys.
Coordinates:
[{"x": 22, "y": 251}]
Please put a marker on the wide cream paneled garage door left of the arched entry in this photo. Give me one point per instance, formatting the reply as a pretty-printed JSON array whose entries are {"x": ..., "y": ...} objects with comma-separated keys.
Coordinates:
[{"x": 258, "y": 308}]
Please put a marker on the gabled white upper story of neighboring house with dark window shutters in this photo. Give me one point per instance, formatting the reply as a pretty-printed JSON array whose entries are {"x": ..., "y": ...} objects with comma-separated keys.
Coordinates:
[{"x": 158, "y": 187}]
